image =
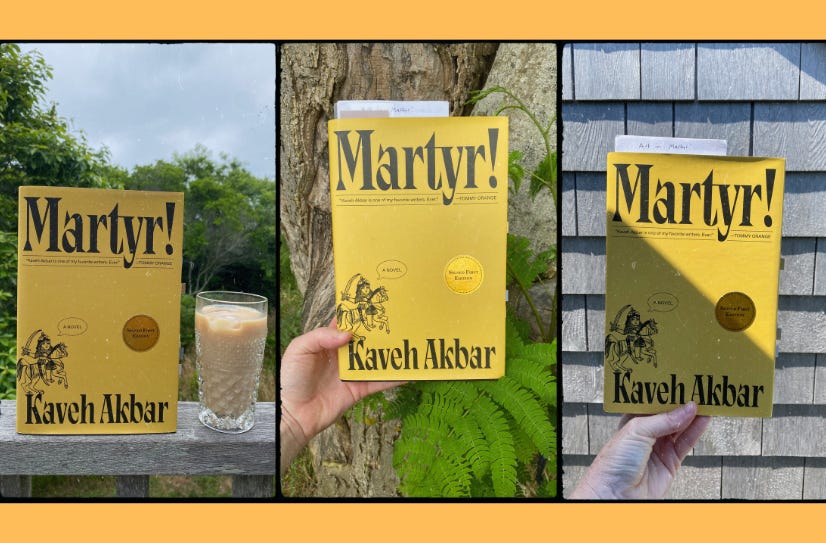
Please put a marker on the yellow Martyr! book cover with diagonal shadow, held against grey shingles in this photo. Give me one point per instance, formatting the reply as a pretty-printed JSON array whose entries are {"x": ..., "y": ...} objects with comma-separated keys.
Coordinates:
[{"x": 692, "y": 269}]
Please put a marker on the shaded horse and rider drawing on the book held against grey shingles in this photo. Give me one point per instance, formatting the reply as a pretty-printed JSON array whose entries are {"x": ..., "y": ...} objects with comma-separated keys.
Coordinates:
[{"x": 632, "y": 343}]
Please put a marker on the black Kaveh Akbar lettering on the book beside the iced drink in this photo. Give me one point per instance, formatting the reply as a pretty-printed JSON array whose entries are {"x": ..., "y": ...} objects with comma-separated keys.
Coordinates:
[{"x": 109, "y": 409}]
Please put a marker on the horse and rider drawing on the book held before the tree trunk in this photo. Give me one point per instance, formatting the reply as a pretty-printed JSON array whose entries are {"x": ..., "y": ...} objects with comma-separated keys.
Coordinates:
[{"x": 362, "y": 308}]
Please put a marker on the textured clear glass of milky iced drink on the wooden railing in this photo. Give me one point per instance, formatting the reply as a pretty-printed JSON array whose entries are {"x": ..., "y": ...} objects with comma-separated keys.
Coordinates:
[{"x": 230, "y": 335}]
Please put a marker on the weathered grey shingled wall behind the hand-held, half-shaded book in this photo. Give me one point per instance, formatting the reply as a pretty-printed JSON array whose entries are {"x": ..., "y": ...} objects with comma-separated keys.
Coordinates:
[{"x": 766, "y": 99}]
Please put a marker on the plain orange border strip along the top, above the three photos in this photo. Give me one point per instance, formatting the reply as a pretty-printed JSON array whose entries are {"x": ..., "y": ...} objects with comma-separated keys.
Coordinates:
[{"x": 423, "y": 19}]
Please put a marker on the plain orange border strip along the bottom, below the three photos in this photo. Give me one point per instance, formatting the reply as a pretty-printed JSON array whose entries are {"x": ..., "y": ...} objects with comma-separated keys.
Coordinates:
[{"x": 412, "y": 522}]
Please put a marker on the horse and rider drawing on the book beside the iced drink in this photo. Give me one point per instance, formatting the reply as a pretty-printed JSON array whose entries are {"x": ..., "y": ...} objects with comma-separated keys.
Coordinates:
[{"x": 43, "y": 365}]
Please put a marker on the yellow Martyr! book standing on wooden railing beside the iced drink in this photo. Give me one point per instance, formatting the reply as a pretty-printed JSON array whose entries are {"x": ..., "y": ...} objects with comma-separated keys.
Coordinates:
[{"x": 98, "y": 310}]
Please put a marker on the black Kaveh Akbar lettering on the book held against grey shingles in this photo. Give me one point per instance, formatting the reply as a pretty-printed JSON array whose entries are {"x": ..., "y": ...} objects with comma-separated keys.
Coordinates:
[{"x": 716, "y": 390}]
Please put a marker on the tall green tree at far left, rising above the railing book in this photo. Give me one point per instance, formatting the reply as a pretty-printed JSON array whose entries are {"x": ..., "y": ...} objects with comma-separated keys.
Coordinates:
[{"x": 36, "y": 146}]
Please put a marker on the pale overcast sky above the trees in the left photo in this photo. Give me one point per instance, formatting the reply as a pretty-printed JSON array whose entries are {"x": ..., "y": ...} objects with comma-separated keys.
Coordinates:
[{"x": 147, "y": 101}]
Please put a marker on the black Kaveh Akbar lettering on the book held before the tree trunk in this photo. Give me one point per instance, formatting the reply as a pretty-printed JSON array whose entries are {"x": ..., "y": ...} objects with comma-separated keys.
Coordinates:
[{"x": 437, "y": 353}]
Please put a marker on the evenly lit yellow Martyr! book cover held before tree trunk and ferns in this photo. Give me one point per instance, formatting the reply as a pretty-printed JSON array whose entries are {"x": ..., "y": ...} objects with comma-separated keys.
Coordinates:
[{"x": 419, "y": 212}]
